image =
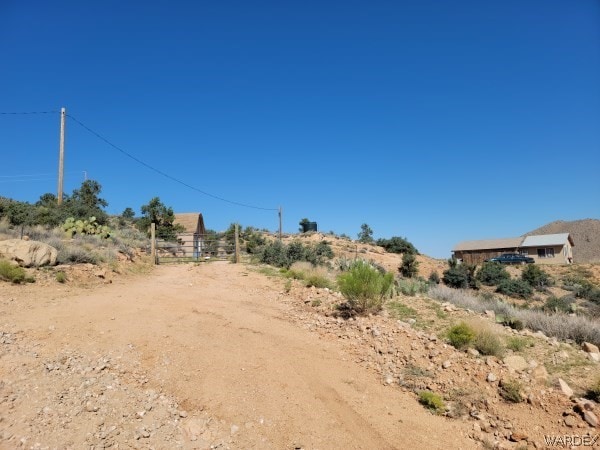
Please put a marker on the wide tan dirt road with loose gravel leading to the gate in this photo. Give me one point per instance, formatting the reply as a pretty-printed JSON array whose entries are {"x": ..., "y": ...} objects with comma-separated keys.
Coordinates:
[{"x": 189, "y": 357}]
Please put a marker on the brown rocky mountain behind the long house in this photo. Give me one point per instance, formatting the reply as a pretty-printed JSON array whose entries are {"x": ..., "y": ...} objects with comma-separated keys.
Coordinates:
[{"x": 585, "y": 234}]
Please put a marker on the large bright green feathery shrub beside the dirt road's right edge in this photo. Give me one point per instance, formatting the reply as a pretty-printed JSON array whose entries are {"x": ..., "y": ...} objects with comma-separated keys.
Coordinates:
[{"x": 365, "y": 287}]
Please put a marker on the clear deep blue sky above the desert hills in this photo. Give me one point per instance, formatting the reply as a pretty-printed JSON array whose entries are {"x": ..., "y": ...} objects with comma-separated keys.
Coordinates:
[{"x": 438, "y": 121}]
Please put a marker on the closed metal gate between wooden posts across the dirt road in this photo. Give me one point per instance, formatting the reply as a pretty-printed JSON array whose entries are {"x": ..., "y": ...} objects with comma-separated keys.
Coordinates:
[{"x": 194, "y": 247}]
